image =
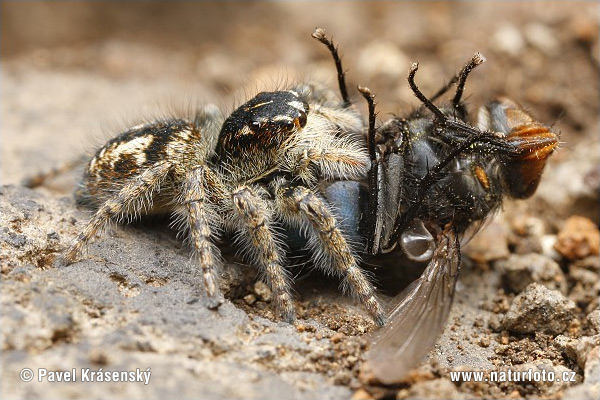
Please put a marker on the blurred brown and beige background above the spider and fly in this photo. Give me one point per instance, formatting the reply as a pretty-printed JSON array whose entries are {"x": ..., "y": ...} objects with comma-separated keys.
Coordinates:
[{"x": 75, "y": 73}]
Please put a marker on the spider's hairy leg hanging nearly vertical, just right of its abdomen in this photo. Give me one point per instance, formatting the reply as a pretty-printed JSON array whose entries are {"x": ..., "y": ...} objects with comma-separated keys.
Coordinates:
[{"x": 200, "y": 216}]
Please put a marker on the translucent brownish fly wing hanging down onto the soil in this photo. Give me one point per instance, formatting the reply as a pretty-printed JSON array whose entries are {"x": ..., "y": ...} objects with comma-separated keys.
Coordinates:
[{"x": 418, "y": 316}]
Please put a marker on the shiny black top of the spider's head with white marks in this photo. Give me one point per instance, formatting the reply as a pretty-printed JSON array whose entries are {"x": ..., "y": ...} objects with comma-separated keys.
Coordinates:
[{"x": 263, "y": 124}]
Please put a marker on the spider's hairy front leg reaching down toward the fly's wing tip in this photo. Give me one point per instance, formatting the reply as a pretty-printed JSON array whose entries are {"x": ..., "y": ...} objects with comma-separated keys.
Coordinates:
[{"x": 302, "y": 207}]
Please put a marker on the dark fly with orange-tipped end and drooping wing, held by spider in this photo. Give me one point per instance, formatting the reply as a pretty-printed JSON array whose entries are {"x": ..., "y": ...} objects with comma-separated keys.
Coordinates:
[{"x": 435, "y": 176}]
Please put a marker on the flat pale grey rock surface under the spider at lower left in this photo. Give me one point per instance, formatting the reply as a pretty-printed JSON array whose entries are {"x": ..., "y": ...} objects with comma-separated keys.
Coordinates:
[{"x": 137, "y": 304}]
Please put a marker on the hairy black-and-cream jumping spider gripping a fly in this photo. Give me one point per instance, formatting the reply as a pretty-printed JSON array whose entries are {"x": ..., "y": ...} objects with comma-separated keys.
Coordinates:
[{"x": 256, "y": 172}]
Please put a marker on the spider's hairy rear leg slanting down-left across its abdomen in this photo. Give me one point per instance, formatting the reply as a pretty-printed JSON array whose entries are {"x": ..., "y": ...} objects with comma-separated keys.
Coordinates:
[{"x": 127, "y": 200}]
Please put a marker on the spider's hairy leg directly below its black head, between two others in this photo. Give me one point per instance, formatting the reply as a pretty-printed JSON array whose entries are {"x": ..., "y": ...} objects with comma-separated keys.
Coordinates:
[{"x": 257, "y": 231}]
